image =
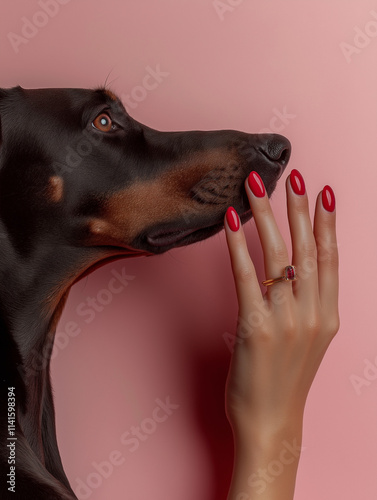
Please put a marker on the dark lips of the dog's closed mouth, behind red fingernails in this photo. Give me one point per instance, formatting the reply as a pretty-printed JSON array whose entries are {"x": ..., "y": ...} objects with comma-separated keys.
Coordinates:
[{"x": 164, "y": 239}]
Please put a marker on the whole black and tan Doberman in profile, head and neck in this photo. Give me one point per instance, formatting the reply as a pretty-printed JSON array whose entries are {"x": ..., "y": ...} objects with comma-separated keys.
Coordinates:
[{"x": 83, "y": 184}]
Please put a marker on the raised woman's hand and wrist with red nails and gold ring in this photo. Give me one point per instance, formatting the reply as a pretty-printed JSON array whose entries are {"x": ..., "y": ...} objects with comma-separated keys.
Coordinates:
[{"x": 282, "y": 335}]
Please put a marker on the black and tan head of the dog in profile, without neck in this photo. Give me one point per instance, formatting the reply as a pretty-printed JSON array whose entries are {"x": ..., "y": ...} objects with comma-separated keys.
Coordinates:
[{"x": 76, "y": 169}]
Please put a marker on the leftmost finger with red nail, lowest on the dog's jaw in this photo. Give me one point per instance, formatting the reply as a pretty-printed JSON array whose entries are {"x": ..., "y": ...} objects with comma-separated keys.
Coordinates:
[{"x": 245, "y": 278}]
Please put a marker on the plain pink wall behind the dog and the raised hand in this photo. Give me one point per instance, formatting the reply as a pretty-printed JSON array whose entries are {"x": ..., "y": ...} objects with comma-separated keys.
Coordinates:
[{"x": 162, "y": 336}]
